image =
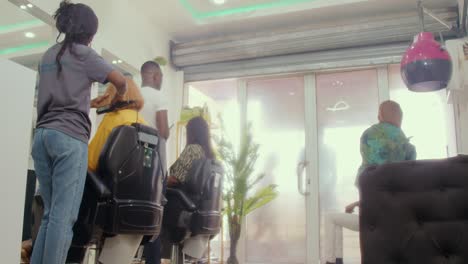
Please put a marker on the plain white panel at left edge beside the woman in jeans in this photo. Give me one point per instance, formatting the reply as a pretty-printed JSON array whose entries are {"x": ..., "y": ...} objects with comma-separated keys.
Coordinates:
[{"x": 17, "y": 108}]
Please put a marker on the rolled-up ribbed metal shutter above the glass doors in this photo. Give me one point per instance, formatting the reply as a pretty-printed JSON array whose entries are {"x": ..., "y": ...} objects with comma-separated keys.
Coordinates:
[{"x": 369, "y": 41}]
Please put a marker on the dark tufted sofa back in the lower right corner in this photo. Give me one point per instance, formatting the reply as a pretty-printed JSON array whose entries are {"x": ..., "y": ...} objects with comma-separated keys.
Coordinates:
[{"x": 415, "y": 212}]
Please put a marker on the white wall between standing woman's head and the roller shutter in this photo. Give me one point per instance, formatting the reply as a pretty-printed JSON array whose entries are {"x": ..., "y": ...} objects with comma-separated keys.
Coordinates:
[{"x": 129, "y": 34}]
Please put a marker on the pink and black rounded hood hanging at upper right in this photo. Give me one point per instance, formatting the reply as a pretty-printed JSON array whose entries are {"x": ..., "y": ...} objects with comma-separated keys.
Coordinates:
[{"x": 426, "y": 65}]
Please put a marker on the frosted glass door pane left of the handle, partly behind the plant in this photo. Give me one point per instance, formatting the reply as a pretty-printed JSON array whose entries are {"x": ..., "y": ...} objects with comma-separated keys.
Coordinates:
[{"x": 276, "y": 233}]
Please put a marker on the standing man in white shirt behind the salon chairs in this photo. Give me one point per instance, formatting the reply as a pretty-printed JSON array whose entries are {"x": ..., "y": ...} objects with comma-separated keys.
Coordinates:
[{"x": 155, "y": 113}]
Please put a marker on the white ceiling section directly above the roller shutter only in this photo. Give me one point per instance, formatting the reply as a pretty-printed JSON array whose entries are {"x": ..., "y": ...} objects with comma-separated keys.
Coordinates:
[{"x": 178, "y": 22}]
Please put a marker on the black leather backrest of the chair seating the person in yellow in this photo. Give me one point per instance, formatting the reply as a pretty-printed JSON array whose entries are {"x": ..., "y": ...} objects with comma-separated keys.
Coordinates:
[{"x": 129, "y": 182}]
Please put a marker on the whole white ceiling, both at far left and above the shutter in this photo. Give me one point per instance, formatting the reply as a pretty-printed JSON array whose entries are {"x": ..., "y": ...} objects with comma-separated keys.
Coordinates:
[{"x": 175, "y": 19}]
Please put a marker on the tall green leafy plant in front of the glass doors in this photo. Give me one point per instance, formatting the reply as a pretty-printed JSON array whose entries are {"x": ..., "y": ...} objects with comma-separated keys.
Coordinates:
[{"x": 242, "y": 195}]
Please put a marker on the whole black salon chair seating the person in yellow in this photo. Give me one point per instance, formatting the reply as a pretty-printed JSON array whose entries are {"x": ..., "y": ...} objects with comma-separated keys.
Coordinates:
[{"x": 124, "y": 196}]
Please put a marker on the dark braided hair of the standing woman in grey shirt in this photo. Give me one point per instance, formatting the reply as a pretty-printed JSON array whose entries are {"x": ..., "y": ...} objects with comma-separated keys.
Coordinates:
[{"x": 78, "y": 22}]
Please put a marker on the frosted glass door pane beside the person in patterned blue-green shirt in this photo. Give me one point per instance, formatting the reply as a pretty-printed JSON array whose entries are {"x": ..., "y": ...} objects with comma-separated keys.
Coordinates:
[{"x": 347, "y": 104}]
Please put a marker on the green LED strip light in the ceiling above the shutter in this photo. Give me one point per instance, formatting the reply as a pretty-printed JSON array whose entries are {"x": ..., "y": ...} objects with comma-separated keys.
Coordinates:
[{"x": 238, "y": 10}]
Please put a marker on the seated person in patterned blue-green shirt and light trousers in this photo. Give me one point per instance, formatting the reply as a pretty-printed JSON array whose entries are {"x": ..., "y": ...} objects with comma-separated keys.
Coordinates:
[{"x": 382, "y": 143}]
